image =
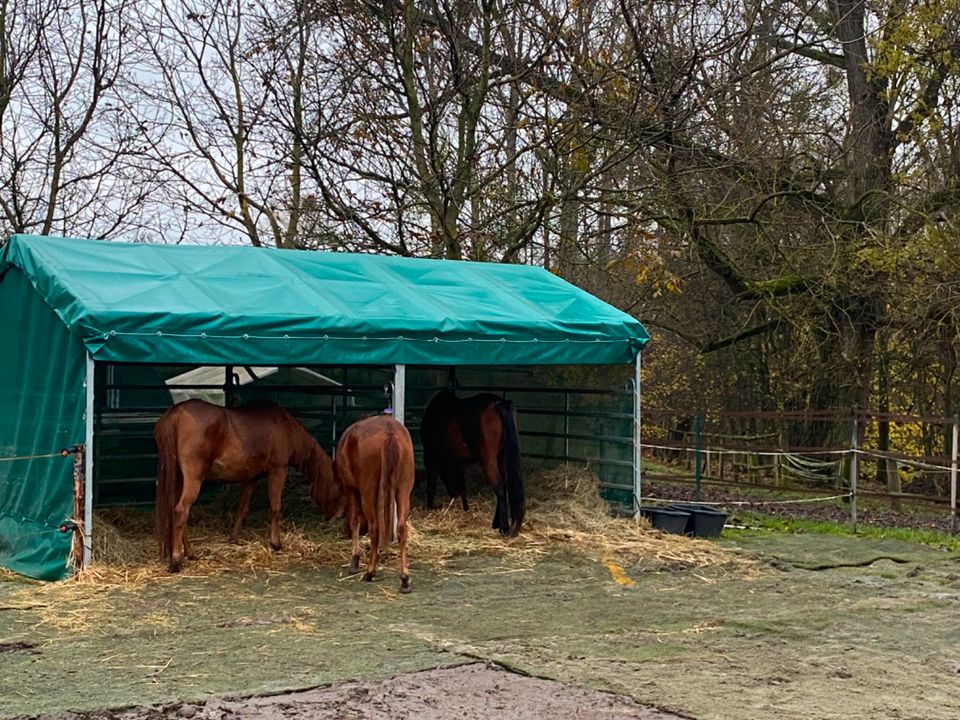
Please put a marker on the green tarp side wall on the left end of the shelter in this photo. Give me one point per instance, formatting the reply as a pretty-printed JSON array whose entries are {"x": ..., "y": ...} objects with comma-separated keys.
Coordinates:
[{"x": 41, "y": 411}]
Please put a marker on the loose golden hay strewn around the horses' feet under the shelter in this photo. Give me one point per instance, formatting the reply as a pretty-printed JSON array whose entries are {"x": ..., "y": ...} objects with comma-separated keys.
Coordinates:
[{"x": 564, "y": 510}]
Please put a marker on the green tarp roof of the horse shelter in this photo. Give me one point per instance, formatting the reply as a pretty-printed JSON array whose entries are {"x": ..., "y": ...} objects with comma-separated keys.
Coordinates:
[{"x": 243, "y": 305}]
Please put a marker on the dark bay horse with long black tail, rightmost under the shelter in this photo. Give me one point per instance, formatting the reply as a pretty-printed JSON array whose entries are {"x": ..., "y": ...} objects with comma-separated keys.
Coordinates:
[{"x": 457, "y": 432}]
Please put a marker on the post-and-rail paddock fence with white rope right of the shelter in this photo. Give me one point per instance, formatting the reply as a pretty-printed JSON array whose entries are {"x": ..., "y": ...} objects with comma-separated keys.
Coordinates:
[{"x": 882, "y": 455}]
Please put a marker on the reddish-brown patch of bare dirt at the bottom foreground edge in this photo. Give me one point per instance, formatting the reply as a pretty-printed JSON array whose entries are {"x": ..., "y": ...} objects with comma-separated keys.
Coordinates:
[{"x": 476, "y": 690}]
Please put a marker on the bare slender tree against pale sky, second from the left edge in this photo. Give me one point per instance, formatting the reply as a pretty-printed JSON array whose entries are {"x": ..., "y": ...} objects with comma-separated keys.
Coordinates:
[{"x": 226, "y": 98}]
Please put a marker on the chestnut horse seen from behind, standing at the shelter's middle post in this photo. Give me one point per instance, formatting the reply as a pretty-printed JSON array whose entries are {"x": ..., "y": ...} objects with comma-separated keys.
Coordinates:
[{"x": 374, "y": 468}]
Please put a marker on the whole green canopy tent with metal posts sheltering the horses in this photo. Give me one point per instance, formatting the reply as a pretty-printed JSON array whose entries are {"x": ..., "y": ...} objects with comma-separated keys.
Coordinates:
[{"x": 68, "y": 304}]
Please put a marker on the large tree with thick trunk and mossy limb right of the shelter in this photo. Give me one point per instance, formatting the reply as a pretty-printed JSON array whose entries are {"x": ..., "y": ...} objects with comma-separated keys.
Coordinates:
[{"x": 781, "y": 172}]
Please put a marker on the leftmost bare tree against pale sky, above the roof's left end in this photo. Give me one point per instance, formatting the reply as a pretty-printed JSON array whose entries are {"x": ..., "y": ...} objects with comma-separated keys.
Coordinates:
[{"x": 67, "y": 152}]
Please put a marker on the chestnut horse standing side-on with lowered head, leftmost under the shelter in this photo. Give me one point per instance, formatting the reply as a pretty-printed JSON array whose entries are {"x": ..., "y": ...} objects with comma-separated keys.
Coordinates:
[{"x": 198, "y": 441}]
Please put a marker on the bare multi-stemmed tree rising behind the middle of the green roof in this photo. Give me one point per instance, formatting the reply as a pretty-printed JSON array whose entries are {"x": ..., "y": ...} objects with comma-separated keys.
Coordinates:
[{"x": 427, "y": 139}]
